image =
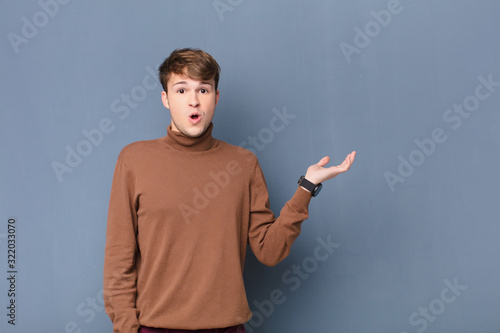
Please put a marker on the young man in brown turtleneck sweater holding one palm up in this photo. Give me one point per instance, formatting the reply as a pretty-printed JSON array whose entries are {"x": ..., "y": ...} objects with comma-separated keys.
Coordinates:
[{"x": 183, "y": 209}]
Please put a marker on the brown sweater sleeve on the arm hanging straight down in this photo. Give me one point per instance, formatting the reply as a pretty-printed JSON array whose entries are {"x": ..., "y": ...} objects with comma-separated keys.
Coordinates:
[{"x": 120, "y": 273}]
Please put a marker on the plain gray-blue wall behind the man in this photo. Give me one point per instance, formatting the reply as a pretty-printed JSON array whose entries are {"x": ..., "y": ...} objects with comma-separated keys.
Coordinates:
[{"x": 406, "y": 241}]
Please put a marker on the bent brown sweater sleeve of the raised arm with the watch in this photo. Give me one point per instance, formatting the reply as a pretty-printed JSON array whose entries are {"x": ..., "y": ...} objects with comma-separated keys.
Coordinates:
[{"x": 271, "y": 238}]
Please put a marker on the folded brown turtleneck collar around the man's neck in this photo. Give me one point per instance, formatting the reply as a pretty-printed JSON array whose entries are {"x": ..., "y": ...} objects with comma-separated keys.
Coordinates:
[{"x": 183, "y": 142}]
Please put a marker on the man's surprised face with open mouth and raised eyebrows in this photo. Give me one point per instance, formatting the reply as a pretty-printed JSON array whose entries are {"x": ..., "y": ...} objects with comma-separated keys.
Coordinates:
[{"x": 191, "y": 104}]
